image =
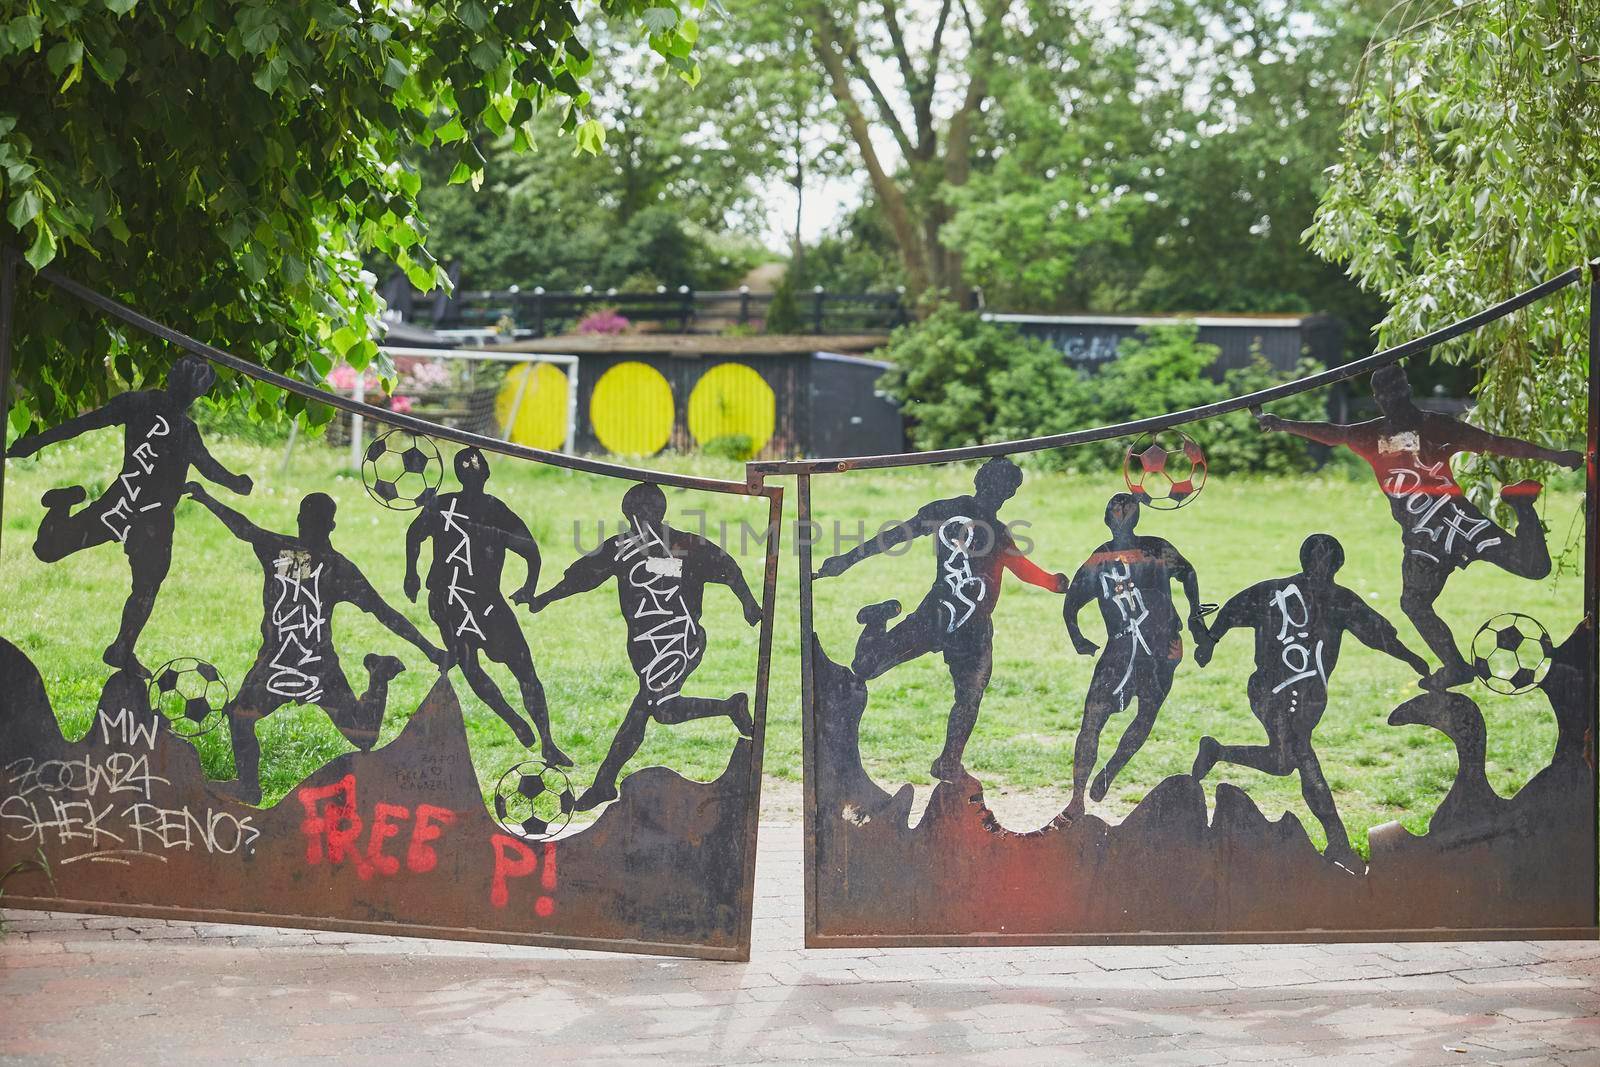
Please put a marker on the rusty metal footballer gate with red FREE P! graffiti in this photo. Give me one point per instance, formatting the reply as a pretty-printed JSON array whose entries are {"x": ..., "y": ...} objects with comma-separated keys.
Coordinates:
[{"x": 321, "y": 705}]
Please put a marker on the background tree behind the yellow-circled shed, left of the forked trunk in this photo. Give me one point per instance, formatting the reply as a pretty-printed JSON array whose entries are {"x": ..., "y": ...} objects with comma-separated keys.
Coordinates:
[{"x": 670, "y": 194}]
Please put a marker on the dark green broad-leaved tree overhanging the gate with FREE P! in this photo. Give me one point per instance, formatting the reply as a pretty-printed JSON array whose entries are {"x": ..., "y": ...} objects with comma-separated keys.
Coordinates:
[{"x": 225, "y": 164}]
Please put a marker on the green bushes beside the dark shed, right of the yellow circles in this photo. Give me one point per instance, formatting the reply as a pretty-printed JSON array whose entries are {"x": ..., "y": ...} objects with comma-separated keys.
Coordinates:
[{"x": 964, "y": 382}]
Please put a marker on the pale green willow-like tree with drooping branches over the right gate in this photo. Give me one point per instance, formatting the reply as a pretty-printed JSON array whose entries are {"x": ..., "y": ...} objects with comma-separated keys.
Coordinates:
[{"x": 1471, "y": 170}]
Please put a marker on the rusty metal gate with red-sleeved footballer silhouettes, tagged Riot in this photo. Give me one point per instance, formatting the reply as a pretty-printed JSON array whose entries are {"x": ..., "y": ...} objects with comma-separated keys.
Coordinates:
[{"x": 1178, "y": 820}]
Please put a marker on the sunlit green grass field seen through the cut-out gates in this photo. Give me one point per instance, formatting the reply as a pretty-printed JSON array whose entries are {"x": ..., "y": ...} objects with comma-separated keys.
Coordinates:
[{"x": 1238, "y": 532}]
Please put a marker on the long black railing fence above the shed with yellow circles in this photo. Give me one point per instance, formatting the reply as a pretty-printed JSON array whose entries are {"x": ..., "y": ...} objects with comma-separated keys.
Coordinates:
[{"x": 540, "y": 314}]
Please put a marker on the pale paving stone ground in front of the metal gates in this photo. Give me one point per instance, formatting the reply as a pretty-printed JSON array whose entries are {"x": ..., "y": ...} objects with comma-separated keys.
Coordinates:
[{"x": 84, "y": 989}]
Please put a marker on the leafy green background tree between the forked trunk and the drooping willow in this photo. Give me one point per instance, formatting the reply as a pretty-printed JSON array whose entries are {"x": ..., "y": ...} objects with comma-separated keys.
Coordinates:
[{"x": 1174, "y": 172}]
